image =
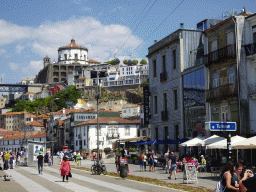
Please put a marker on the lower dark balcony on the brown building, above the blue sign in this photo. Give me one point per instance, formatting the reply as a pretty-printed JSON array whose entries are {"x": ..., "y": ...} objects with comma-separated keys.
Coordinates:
[{"x": 223, "y": 92}]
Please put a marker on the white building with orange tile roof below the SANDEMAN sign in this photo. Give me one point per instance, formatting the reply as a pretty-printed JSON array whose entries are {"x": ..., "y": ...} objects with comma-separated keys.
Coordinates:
[{"x": 110, "y": 130}]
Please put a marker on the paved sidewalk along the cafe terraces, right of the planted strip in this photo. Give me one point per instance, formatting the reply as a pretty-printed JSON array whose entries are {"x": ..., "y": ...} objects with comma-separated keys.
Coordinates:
[{"x": 205, "y": 179}]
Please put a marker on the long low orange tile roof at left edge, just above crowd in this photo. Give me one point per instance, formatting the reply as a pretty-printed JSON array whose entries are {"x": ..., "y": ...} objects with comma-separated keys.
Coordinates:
[{"x": 14, "y": 135}]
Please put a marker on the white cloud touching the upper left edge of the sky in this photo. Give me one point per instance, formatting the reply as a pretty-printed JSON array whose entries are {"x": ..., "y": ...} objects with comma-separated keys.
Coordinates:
[{"x": 11, "y": 32}]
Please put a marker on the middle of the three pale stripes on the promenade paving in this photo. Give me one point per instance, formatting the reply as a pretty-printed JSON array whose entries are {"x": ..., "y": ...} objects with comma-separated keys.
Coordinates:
[{"x": 70, "y": 185}]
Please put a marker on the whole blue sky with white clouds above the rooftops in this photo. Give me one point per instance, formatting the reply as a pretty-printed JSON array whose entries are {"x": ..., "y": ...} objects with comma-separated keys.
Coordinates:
[{"x": 30, "y": 29}]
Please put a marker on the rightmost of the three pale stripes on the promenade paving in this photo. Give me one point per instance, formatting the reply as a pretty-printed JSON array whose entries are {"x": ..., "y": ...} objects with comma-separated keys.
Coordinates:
[{"x": 99, "y": 182}]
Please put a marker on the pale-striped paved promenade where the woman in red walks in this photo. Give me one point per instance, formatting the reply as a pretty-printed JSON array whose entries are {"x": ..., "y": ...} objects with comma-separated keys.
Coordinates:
[{"x": 27, "y": 179}]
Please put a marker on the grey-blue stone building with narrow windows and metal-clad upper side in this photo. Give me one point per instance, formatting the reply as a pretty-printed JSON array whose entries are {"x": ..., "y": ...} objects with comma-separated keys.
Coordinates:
[{"x": 167, "y": 60}]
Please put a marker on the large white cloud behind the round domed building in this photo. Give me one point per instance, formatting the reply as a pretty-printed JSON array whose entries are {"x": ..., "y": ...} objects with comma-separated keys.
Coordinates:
[{"x": 101, "y": 40}]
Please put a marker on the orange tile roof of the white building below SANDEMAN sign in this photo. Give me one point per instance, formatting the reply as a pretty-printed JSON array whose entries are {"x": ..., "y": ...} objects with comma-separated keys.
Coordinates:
[{"x": 105, "y": 120}]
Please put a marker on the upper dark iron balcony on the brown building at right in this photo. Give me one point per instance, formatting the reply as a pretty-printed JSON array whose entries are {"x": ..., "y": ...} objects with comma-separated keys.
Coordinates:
[{"x": 221, "y": 55}]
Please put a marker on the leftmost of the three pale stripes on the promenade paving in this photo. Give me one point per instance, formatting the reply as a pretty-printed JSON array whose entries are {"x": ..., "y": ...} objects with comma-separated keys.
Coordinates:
[{"x": 25, "y": 182}]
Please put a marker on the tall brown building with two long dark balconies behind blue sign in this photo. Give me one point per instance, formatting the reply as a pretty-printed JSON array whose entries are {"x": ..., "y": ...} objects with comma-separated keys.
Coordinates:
[{"x": 226, "y": 77}]
